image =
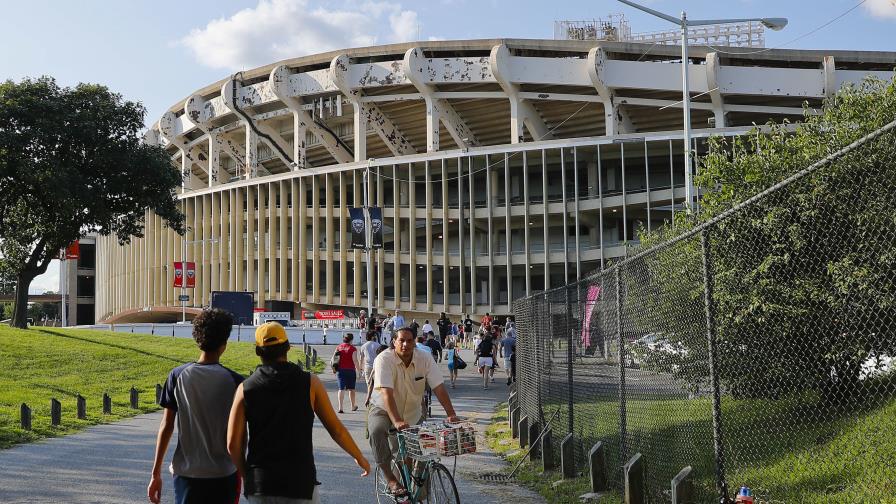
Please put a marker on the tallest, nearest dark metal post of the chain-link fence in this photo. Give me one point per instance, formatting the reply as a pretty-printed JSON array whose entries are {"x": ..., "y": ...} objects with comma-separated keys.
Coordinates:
[{"x": 709, "y": 303}]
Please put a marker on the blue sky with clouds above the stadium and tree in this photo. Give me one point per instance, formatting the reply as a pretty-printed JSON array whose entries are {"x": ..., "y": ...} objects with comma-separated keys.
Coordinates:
[{"x": 162, "y": 51}]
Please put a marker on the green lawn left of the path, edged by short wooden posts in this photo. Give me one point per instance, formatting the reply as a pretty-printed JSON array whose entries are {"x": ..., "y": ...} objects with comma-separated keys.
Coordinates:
[{"x": 39, "y": 364}]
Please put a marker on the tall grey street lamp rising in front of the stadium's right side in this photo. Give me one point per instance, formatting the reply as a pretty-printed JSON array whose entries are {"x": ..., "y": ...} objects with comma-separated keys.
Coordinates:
[{"x": 683, "y": 22}]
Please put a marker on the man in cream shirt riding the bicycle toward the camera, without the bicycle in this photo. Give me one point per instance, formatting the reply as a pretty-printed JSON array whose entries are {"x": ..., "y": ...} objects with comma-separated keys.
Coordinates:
[{"x": 400, "y": 379}]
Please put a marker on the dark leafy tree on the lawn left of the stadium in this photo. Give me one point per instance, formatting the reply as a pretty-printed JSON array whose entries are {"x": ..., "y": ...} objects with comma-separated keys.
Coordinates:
[{"x": 72, "y": 162}]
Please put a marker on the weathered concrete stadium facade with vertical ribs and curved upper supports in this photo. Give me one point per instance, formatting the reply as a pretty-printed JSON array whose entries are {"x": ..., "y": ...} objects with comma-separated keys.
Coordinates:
[{"x": 503, "y": 167}]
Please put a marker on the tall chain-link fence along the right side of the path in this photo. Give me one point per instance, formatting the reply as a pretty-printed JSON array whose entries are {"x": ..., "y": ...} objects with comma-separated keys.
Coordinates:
[{"x": 757, "y": 348}]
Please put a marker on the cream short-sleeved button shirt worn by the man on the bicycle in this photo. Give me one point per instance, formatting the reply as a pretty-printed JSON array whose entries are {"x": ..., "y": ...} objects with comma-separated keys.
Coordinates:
[{"x": 408, "y": 382}]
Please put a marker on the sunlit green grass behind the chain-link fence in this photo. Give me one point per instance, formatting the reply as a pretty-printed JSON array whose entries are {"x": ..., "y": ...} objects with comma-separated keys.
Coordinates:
[{"x": 788, "y": 450}]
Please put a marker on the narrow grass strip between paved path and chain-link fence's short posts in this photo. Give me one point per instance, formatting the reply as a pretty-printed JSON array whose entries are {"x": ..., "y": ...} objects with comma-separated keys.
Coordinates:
[{"x": 530, "y": 474}]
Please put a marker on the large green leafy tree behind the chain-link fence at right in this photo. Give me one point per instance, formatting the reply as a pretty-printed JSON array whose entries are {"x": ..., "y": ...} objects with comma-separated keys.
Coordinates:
[{"x": 805, "y": 278}]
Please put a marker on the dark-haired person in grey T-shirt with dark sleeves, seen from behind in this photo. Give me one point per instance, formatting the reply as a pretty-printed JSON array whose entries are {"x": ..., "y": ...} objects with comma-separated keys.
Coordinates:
[{"x": 197, "y": 396}]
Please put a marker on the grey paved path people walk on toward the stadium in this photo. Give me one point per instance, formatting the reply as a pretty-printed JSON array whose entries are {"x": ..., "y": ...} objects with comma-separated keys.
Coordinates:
[{"x": 109, "y": 464}]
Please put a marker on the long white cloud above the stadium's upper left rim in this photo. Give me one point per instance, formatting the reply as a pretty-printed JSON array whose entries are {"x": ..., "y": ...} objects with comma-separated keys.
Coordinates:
[{"x": 280, "y": 29}]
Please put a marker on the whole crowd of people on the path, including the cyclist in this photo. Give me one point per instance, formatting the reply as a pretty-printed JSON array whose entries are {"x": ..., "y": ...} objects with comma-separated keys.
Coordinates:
[{"x": 255, "y": 434}]
